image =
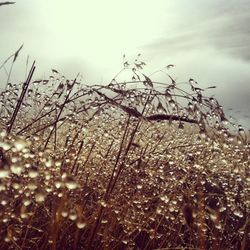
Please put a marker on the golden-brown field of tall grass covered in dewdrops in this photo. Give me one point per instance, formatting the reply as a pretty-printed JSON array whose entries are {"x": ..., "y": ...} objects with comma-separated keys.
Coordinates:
[{"x": 134, "y": 164}]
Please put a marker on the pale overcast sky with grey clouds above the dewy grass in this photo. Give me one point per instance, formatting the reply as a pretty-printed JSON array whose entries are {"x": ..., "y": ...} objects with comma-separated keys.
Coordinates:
[{"x": 208, "y": 40}]
